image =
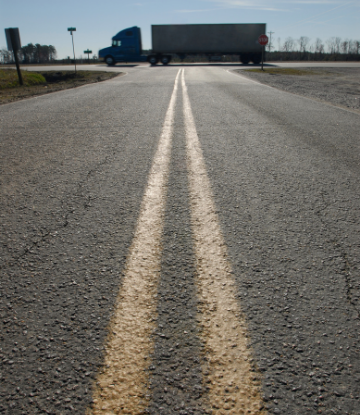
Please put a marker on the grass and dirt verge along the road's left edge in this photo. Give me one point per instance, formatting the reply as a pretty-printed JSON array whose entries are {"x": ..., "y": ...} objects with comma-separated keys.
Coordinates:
[{"x": 52, "y": 81}]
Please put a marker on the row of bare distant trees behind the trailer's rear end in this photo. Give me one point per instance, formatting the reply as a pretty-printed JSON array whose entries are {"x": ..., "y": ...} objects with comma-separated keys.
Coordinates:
[{"x": 303, "y": 48}]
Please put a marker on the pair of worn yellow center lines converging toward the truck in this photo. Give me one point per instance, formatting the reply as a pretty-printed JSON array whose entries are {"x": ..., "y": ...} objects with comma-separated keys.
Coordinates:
[{"x": 122, "y": 386}]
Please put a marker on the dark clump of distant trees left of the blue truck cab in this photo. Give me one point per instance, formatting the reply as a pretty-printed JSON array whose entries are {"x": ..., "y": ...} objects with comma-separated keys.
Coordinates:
[{"x": 30, "y": 54}]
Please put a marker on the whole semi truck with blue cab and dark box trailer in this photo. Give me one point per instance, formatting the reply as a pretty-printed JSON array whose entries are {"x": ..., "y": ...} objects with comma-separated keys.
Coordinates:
[{"x": 211, "y": 40}]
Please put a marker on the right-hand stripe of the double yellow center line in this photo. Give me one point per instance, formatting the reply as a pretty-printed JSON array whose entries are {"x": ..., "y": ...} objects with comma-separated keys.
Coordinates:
[{"x": 234, "y": 388}]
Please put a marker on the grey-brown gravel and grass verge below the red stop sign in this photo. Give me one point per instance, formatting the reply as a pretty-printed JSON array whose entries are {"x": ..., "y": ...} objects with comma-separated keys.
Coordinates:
[{"x": 339, "y": 86}]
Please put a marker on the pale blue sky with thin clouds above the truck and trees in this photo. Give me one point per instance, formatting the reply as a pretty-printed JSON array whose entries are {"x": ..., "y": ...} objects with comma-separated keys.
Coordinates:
[{"x": 46, "y": 22}]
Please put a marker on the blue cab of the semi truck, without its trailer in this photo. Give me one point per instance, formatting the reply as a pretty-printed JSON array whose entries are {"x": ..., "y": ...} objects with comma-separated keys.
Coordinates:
[{"x": 125, "y": 47}]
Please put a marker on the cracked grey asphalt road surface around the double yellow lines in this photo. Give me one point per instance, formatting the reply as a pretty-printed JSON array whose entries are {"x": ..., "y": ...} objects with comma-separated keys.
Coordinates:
[{"x": 284, "y": 174}]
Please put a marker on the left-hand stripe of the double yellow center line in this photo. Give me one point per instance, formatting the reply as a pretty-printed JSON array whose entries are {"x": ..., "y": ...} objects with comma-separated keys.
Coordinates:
[{"x": 121, "y": 387}]
